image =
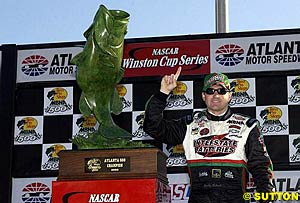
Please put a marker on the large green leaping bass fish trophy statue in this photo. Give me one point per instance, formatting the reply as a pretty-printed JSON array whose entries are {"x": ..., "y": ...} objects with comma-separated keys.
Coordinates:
[{"x": 99, "y": 71}]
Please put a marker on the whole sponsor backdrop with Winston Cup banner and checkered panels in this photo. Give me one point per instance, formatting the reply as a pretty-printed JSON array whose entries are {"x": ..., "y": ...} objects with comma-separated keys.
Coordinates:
[{"x": 264, "y": 72}]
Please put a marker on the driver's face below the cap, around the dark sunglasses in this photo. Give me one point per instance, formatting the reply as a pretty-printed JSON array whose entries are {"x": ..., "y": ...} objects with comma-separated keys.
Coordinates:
[{"x": 216, "y": 103}]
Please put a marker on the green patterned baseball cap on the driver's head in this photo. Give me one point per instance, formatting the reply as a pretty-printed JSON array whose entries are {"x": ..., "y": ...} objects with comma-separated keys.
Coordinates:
[{"x": 216, "y": 78}]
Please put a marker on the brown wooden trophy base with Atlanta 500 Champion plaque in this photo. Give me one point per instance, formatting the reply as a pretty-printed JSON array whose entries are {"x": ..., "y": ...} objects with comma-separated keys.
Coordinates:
[{"x": 112, "y": 164}]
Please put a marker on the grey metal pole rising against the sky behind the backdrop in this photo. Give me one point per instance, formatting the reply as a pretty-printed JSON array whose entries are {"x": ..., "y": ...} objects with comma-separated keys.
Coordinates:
[{"x": 221, "y": 16}]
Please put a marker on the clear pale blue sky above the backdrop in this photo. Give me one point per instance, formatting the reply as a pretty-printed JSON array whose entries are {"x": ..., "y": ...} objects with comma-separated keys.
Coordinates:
[{"x": 52, "y": 21}]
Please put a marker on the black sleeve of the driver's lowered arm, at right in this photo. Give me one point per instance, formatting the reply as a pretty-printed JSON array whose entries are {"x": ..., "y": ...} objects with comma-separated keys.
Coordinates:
[{"x": 259, "y": 163}]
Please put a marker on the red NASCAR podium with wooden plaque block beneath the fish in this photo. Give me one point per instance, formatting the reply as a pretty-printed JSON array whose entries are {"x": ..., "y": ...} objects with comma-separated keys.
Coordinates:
[{"x": 137, "y": 175}]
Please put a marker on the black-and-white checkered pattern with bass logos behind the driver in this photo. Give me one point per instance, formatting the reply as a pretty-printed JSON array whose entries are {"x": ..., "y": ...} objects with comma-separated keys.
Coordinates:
[{"x": 254, "y": 96}]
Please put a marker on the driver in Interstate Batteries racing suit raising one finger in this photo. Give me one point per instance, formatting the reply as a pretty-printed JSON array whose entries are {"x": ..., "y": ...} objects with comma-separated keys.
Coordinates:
[{"x": 220, "y": 146}]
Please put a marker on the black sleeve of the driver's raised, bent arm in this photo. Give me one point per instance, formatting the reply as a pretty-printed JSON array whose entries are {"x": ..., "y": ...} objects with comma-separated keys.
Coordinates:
[{"x": 167, "y": 131}]
